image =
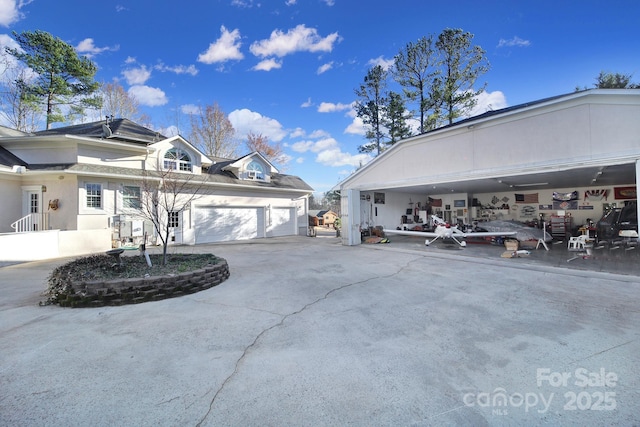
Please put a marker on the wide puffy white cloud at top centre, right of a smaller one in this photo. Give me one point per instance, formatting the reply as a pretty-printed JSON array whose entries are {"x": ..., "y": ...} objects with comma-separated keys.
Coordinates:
[{"x": 298, "y": 39}]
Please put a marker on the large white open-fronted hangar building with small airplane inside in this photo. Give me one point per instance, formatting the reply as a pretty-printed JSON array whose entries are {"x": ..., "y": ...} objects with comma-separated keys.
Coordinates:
[{"x": 563, "y": 160}]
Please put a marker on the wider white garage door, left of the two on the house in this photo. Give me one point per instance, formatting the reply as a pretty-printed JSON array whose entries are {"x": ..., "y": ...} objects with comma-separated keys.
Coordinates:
[{"x": 216, "y": 224}]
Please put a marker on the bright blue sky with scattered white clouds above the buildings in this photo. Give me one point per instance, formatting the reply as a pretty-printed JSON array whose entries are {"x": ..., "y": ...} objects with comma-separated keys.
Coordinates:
[{"x": 287, "y": 69}]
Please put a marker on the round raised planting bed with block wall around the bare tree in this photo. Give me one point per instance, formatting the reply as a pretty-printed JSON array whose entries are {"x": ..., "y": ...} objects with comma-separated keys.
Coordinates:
[{"x": 102, "y": 280}]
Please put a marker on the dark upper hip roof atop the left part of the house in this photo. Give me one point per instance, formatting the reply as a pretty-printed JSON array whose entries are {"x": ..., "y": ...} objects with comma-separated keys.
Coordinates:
[{"x": 117, "y": 129}]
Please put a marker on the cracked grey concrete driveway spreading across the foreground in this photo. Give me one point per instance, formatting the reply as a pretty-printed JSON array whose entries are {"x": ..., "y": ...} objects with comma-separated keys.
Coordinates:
[{"x": 307, "y": 332}]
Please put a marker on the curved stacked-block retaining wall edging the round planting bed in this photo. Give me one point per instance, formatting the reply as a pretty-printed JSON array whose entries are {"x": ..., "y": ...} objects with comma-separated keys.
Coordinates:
[{"x": 136, "y": 290}]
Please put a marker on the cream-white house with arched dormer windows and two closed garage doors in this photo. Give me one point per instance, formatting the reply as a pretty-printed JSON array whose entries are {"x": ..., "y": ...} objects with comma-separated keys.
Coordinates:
[{"x": 79, "y": 189}]
